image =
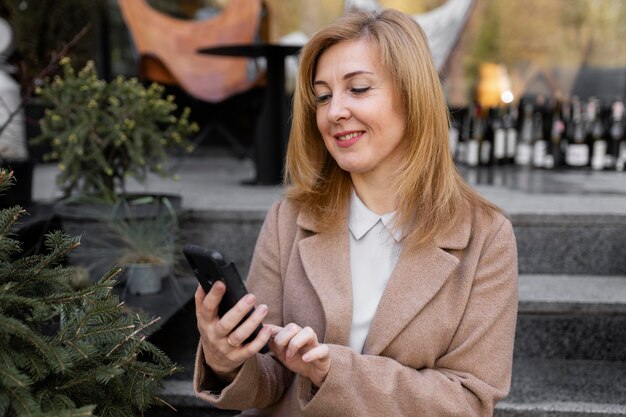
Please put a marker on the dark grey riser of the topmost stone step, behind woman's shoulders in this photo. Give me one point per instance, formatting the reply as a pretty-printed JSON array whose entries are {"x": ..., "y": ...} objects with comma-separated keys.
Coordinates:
[{"x": 591, "y": 243}]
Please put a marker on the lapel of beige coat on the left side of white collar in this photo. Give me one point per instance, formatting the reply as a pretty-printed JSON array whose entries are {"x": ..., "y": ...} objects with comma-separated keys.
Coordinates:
[{"x": 326, "y": 261}]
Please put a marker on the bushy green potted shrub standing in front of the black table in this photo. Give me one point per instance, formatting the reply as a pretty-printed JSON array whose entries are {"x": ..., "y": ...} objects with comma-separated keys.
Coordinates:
[{"x": 102, "y": 133}]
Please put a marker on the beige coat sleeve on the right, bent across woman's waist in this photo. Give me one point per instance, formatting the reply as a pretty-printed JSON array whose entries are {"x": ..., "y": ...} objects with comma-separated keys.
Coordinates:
[{"x": 467, "y": 380}]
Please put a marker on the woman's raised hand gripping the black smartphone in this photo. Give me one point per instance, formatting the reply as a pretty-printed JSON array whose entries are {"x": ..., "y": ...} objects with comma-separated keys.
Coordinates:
[{"x": 221, "y": 342}]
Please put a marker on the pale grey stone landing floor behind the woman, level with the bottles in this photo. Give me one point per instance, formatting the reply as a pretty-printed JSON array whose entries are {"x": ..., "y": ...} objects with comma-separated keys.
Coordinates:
[{"x": 213, "y": 179}]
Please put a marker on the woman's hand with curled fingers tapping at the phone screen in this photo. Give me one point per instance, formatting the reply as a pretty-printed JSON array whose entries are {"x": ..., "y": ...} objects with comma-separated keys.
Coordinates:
[{"x": 299, "y": 350}]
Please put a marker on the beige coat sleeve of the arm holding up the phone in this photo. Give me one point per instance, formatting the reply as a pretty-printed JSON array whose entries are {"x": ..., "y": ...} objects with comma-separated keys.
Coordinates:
[{"x": 262, "y": 380}]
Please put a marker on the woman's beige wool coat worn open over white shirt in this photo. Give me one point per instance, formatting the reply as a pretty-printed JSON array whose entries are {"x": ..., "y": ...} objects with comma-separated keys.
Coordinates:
[{"x": 440, "y": 344}]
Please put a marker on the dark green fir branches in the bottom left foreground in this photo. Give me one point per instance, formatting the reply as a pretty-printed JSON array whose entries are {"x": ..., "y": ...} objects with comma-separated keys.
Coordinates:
[{"x": 67, "y": 352}]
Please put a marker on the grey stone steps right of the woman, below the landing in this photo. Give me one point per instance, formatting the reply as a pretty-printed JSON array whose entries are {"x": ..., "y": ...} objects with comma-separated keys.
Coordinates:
[{"x": 570, "y": 347}]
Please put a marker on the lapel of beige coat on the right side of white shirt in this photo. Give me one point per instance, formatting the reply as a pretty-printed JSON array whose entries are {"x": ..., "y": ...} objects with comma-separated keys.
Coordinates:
[{"x": 416, "y": 279}]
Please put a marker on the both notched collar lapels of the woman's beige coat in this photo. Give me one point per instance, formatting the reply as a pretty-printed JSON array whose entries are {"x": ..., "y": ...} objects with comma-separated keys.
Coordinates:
[{"x": 416, "y": 279}]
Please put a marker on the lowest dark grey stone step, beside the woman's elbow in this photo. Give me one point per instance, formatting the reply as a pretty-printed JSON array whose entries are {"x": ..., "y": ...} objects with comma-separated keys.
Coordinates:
[{"x": 539, "y": 388}]
